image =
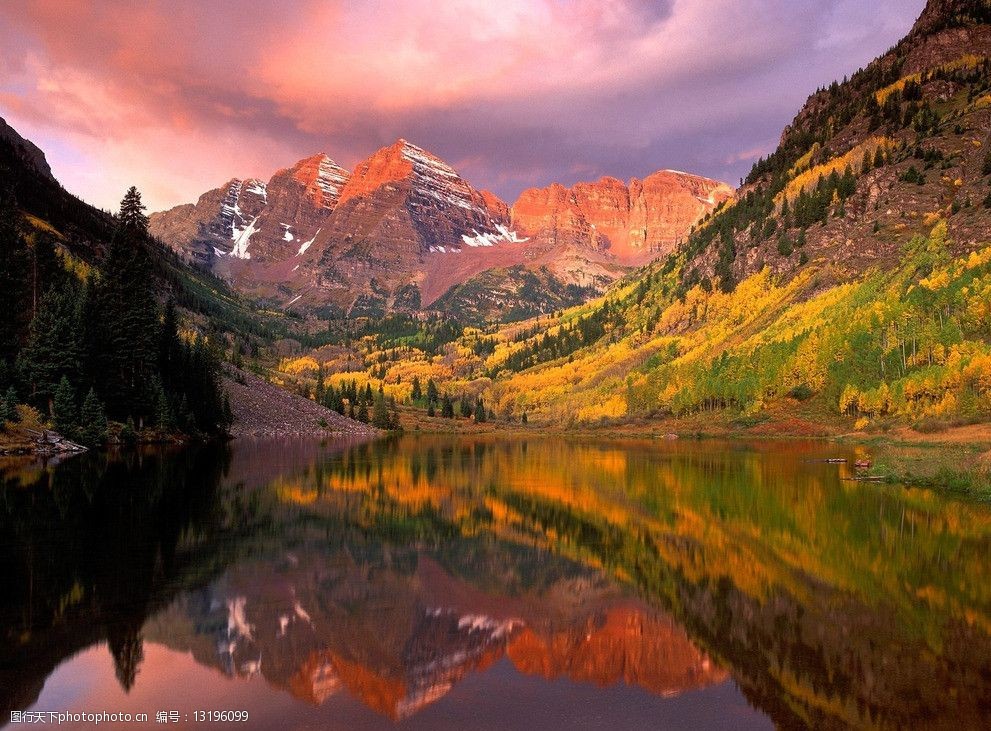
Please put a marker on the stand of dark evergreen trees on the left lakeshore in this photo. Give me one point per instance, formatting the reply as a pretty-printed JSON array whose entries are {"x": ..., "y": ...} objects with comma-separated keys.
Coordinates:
[{"x": 87, "y": 343}]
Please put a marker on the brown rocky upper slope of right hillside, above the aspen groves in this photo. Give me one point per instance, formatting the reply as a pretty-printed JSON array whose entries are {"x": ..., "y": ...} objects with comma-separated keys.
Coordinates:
[{"x": 870, "y": 162}]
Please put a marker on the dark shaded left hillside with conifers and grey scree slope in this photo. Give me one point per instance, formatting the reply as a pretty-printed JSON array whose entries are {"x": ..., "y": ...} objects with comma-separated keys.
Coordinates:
[{"x": 103, "y": 324}]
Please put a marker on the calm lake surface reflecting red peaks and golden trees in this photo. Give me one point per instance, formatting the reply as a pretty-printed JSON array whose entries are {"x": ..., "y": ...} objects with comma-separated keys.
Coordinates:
[{"x": 437, "y": 582}]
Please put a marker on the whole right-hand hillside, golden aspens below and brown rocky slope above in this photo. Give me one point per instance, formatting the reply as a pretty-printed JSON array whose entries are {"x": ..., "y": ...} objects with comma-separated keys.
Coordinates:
[{"x": 847, "y": 286}]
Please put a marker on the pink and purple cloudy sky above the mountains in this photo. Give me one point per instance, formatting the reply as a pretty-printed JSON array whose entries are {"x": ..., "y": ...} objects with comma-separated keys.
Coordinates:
[{"x": 178, "y": 97}]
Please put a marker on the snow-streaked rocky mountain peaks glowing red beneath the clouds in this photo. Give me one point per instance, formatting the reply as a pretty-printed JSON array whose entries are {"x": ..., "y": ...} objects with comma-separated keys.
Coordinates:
[{"x": 405, "y": 231}]
